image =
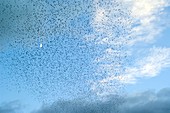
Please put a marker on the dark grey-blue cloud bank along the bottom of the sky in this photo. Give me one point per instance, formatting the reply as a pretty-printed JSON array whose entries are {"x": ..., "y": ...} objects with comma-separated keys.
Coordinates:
[{"x": 145, "y": 102}]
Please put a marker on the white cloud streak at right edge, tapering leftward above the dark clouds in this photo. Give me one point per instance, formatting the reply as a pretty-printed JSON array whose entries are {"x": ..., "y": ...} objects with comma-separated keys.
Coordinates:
[{"x": 149, "y": 66}]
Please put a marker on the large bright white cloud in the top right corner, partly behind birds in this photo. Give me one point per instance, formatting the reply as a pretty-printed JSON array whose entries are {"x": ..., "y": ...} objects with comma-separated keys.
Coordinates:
[{"x": 140, "y": 20}]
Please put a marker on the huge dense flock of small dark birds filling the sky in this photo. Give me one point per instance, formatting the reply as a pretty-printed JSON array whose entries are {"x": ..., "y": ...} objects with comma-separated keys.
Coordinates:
[{"x": 56, "y": 47}]
